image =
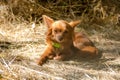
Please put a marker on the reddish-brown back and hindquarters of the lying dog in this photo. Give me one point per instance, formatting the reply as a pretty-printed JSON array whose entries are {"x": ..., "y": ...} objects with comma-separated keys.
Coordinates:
[{"x": 85, "y": 46}]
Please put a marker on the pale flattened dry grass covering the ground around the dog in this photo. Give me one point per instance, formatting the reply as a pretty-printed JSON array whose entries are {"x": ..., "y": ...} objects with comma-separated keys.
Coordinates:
[{"x": 21, "y": 43}]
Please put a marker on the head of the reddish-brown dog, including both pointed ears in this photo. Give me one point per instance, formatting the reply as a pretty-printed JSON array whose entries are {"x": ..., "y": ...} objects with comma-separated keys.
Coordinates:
[{"x": 60, "y": 31}]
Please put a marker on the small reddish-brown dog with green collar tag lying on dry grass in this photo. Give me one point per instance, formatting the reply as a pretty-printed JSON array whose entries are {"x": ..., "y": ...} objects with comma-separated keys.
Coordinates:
[{"x": 63, "y": 43}]
